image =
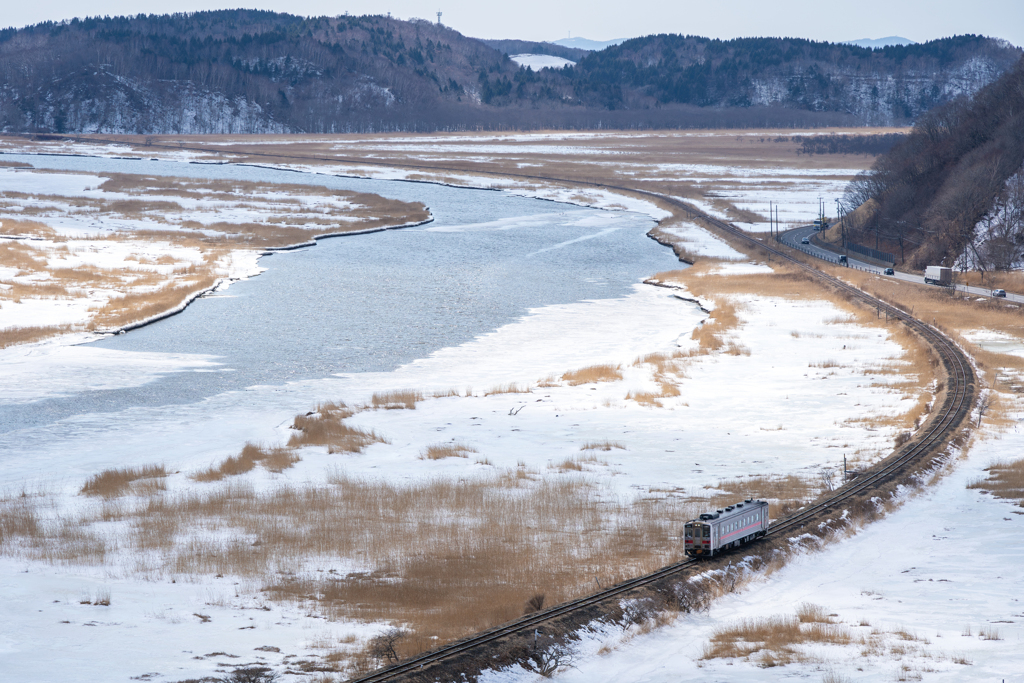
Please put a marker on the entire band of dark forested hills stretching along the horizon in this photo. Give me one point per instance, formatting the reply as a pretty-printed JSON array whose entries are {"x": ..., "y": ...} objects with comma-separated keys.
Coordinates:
[{"x": 253, "y": 72}]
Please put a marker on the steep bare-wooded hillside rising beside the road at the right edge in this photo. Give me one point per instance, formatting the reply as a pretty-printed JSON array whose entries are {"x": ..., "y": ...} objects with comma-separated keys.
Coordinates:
[{"x": 952, "y": 192}]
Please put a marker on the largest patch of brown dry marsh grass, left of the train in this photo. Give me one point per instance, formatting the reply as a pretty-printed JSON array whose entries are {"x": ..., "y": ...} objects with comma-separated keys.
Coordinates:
[{"x": 445, "y": 558}]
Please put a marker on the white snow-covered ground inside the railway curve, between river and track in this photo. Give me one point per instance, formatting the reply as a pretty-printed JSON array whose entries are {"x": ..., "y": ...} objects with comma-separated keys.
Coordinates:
[{"x": 801, "y": 419}]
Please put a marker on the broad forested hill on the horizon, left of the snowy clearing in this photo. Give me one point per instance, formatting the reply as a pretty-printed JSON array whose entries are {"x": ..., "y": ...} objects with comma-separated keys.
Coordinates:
[{"x": 235, "y": 71}]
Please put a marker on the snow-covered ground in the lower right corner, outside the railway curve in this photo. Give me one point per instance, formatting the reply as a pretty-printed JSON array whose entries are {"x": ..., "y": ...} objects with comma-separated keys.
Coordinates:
[{"x": 930, "y": 593}]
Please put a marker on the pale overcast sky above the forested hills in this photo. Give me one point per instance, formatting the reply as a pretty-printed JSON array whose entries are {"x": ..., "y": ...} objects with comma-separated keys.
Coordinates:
[{"x": 605, "y": 20}]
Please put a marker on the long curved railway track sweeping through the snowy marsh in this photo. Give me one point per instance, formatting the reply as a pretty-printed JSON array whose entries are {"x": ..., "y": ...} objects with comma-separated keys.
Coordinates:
[{"x": 946, "y": 423}]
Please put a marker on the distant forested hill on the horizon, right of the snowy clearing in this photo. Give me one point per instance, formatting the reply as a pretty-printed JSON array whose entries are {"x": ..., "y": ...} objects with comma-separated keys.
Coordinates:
[{"x": 889, "y": 86}]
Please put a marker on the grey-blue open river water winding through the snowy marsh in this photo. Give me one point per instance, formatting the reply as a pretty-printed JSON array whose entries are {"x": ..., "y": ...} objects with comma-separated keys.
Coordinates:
[{"x": 365, "y": 304}]
